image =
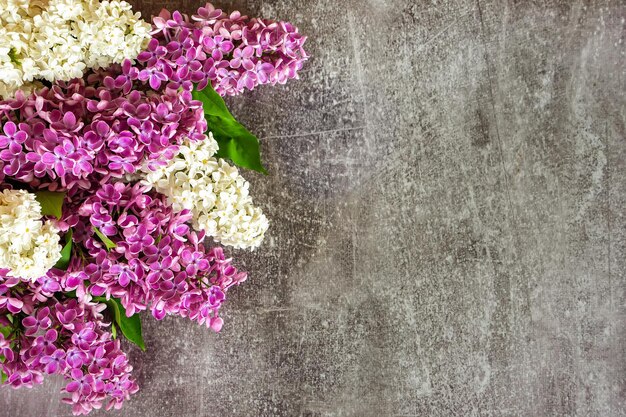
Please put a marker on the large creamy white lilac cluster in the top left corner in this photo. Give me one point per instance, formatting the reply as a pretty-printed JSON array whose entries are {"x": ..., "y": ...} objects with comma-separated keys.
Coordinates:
[{"x": 60, "y": 39}]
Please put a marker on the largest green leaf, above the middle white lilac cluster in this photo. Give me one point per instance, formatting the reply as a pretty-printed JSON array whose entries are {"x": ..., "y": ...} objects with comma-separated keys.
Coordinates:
[{"x": 235, "y": 141}]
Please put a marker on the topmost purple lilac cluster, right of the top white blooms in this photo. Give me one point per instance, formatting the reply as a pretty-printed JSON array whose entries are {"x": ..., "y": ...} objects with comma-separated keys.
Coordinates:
[{"x": 232, "y": 52}]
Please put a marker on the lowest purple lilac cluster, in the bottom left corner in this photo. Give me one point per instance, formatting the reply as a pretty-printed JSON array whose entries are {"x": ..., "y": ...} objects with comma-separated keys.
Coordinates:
[{"x": 42, "y": 334}]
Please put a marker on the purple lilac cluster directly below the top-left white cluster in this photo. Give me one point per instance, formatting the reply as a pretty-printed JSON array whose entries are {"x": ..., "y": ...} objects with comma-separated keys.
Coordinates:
[{"x": 85, "y": 132}]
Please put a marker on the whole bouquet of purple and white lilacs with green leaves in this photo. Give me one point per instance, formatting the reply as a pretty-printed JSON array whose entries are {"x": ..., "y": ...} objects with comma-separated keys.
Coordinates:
[{"x": 115, "y": 166}]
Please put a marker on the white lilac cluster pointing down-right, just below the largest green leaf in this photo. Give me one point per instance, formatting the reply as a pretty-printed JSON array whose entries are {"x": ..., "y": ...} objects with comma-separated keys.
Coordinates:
[{"x": 213, "y": 191}]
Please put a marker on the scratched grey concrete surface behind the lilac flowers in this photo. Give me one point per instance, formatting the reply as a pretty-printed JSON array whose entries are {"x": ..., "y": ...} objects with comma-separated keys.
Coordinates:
[{"x": 447, "y": 196}]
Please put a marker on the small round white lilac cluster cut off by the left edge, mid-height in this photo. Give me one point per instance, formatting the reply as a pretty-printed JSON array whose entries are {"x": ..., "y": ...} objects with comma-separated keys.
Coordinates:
[{"x": 28, "y": 246}]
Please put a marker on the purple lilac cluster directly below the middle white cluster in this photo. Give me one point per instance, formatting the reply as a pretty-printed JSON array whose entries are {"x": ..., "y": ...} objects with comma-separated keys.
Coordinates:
[{"x": 158, "y": 262}]
